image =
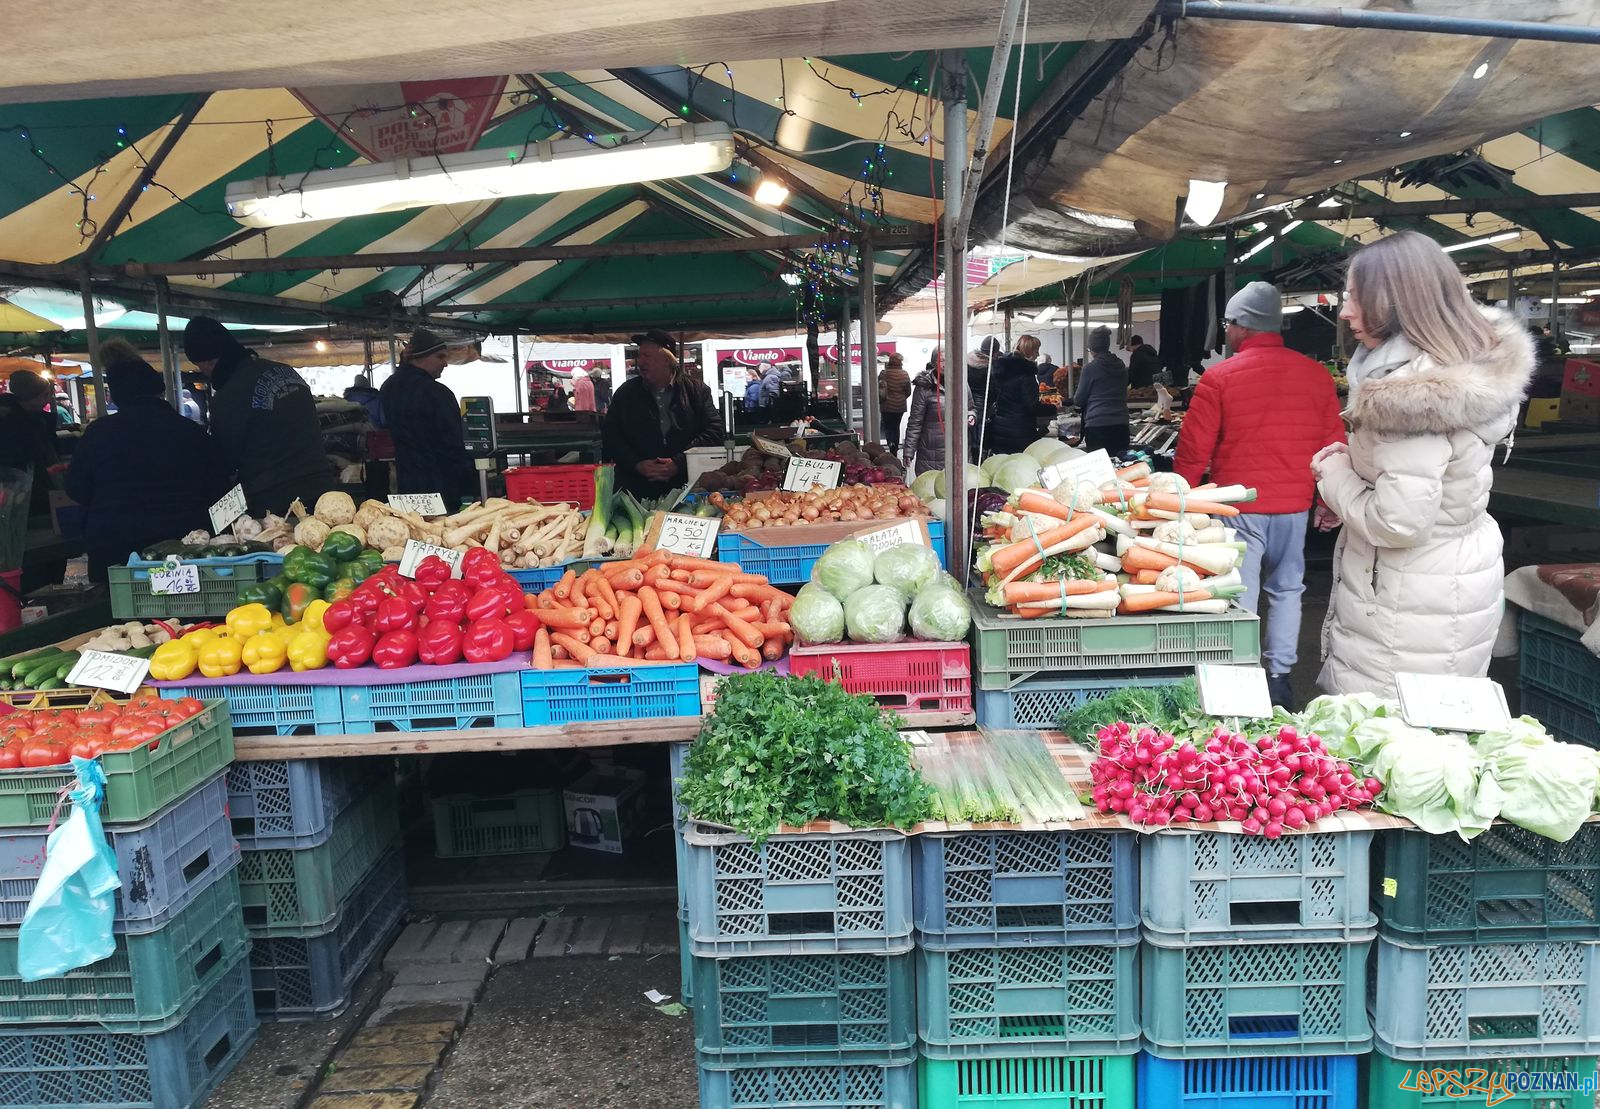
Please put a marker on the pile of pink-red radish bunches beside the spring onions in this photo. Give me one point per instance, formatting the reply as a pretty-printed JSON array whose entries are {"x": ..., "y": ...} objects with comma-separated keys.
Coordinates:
[{"x": 1278, "y": 783}]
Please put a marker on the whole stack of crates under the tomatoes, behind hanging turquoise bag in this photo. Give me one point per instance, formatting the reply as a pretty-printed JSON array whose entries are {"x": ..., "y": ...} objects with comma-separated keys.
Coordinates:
[{"x": 169, "y": 1014}]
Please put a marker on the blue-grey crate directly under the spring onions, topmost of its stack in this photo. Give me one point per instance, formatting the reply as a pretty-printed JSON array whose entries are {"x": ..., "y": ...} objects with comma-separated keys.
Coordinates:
[{"x": 1034, "y": 887}]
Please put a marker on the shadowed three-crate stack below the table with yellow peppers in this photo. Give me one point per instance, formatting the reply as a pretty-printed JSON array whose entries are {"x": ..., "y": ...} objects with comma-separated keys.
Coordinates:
[{"x": 322, "y": 878}]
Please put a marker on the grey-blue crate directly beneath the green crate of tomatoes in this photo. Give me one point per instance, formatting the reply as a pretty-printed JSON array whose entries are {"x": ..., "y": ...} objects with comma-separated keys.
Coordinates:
[{"x": 164, "y": 862}]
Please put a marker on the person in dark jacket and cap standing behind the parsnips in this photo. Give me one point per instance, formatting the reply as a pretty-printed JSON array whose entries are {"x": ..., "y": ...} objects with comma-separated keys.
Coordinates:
[{"x": 425, "y": 420}]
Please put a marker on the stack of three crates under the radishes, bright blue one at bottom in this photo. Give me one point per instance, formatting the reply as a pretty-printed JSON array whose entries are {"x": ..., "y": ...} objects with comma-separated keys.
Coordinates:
[{"x": 1255, "y": 969}]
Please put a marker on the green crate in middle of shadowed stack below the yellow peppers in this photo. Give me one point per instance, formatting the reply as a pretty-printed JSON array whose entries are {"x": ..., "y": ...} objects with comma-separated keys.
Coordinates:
[{"x": 292, "y": 892}]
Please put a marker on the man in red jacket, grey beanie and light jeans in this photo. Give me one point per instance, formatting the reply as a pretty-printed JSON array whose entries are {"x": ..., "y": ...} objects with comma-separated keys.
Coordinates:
[{"x": 1257, "y": 420}]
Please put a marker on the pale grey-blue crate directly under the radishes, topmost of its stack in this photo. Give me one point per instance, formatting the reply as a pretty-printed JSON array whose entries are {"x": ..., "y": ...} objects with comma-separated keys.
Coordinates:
[{"x": 1218, "y": 886}]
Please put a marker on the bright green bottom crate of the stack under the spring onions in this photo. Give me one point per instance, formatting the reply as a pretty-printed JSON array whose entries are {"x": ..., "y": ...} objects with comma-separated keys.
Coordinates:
[{"x": 1028, "y": 1083}]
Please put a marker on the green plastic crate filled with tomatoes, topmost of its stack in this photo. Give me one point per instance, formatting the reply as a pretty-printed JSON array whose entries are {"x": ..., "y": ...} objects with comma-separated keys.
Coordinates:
[{"x": 138, "y": 783}]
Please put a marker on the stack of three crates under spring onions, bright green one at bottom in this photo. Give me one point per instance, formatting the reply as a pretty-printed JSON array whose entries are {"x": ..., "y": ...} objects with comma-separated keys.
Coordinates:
[{"x": 1026, "y": 969}]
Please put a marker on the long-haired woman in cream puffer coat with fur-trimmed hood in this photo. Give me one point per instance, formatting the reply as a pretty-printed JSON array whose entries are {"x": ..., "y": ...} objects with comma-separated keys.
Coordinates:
[{"x": 1418, "y": 572}]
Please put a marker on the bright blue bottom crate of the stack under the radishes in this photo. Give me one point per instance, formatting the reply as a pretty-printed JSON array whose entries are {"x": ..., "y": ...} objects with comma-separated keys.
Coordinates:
[{"x": 1250, "y": 1083}]
